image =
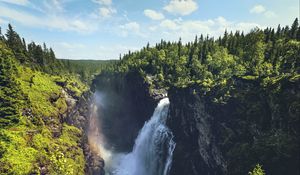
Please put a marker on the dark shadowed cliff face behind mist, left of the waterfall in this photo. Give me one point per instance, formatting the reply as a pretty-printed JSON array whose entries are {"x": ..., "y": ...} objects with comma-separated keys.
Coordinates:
[{"x": 125, "y": 104}]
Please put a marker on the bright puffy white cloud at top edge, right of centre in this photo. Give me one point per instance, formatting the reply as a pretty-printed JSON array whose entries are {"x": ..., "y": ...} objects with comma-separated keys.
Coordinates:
[{"x": 181, "y": 7}]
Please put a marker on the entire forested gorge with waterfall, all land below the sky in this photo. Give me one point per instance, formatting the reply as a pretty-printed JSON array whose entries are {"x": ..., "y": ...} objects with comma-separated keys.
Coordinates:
[{"x": 212, "y": 106}]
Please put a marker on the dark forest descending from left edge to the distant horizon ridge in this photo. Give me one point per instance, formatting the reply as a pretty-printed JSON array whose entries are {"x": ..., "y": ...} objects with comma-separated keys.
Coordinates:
[{"x": 41, "y": 58}]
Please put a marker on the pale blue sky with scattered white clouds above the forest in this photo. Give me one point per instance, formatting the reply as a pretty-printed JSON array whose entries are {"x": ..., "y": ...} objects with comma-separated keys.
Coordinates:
[{"x": 104, "y": 29}]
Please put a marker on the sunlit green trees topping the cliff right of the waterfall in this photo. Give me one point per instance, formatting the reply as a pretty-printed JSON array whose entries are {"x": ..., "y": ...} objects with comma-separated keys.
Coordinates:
[{"x": 209, "y": 63}]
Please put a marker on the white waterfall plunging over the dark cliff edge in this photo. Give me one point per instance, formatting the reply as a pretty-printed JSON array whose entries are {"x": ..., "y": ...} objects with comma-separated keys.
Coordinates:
[{"x": 153, "y": 149}]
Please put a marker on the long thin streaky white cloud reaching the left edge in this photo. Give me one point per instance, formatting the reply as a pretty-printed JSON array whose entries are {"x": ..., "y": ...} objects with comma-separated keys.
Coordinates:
[{"x": 52, "y": 22}]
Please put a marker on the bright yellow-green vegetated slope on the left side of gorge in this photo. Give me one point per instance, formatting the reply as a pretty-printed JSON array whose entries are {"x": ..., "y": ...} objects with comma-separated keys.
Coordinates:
[{"x": 31, "y": 108}]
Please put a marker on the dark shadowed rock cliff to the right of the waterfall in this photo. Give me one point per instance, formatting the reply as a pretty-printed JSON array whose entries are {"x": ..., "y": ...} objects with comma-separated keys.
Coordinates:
[{"x": 258, "y": 124}]
